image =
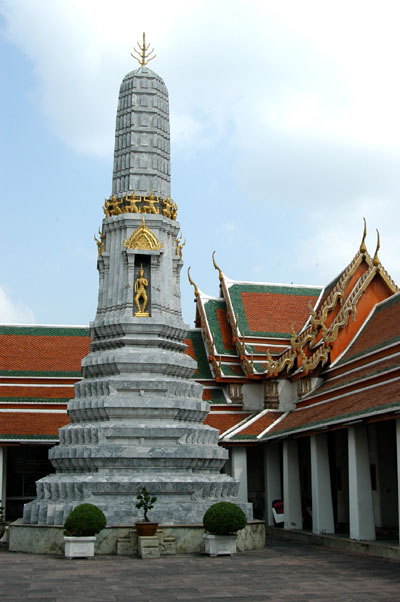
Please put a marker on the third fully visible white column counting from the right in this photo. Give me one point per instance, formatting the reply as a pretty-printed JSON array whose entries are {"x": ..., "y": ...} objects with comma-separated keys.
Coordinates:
[{"x": 291, "y": 486}]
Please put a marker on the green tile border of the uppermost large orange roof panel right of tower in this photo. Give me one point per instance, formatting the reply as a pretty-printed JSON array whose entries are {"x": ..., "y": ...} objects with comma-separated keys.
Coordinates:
[{"x": 235, "y": 294}]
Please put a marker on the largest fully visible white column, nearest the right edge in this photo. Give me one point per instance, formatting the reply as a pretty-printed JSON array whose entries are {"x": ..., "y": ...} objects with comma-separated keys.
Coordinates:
[{"x": 362, "y": 525}]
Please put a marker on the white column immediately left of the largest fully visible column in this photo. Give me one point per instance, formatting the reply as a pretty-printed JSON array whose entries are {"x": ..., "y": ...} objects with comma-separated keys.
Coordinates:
[{"x": 321, "y": 493}]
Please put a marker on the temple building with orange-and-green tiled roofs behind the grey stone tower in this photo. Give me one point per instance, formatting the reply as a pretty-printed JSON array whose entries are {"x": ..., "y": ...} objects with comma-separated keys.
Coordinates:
[{"x": 302, "y": 383}]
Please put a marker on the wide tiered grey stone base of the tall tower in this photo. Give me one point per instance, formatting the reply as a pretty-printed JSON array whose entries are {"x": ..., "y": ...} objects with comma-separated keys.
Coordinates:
[{"x": 136, "y": 420}]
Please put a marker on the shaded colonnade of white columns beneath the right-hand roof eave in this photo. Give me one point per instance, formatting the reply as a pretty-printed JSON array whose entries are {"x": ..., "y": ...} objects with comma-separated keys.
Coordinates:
[{"x": 364, "y": 503}]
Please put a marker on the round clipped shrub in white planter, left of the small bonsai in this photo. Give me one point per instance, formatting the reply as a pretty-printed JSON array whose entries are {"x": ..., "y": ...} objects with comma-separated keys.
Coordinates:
[{"x": 81, "y": 528}]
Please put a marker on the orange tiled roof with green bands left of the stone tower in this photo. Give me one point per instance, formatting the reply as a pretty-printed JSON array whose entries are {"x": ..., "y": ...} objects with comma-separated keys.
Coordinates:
[{"x": 39, "y": 366}]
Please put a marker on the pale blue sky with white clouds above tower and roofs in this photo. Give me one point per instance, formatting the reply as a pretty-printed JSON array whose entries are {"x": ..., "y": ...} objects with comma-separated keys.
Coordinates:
[{"x": 285, "y": 133}]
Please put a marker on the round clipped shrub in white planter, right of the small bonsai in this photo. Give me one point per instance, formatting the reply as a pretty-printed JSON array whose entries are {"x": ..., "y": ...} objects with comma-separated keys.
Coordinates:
[{"x": 222, "y": 521}]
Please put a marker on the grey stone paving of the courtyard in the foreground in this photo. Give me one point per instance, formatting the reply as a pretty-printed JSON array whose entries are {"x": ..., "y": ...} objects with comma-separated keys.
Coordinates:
[{"x": 283, "y": 571}]
